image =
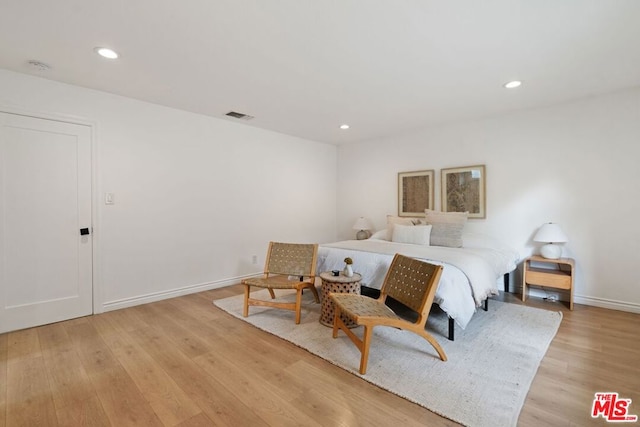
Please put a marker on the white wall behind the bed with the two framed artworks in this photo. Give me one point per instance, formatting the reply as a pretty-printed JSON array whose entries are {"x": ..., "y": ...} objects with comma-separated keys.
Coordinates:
[{"x": 574, "y": 164}]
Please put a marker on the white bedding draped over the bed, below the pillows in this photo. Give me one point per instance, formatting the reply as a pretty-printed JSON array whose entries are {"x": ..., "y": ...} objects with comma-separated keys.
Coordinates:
[{"x": 469, "y": 276}]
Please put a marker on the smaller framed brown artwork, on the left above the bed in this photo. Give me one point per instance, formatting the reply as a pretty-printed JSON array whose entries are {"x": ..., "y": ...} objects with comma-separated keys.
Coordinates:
[{"x": 415, "y": 192}]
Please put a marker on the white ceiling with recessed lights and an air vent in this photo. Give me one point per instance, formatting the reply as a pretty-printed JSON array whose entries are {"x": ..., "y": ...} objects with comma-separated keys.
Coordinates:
[{"x": 304, "y": 67}]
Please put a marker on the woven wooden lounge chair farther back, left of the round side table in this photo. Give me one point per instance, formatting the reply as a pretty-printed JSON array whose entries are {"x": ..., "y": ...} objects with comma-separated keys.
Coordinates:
[{"x": 288, "y": 266}]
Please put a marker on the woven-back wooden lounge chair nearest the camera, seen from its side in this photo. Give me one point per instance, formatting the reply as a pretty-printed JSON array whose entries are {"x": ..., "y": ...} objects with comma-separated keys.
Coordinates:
[{"x": 409, "y": 281}]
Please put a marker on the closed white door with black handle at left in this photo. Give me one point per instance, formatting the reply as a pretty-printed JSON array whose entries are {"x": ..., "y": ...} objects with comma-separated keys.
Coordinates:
[{"x": 45, "y": 201}]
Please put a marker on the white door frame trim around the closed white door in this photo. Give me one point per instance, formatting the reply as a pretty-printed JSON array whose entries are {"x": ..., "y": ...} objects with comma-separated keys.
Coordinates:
[{"x": 95, "y": 213}]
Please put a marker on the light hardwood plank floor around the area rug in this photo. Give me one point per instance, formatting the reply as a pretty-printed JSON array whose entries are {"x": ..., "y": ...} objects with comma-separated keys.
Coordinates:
[{"x": 184, "y": 362}]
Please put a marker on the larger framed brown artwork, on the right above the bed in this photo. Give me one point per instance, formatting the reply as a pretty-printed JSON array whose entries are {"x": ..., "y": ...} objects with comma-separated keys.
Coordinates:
[{"x": 464, "y": 189}]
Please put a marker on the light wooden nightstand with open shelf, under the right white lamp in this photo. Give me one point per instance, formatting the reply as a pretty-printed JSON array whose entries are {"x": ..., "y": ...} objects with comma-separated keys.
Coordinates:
[{"x": 561, "y": 278}]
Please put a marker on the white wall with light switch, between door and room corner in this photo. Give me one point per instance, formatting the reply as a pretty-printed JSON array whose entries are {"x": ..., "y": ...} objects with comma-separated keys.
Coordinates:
[{"x": 195, "y": 197}]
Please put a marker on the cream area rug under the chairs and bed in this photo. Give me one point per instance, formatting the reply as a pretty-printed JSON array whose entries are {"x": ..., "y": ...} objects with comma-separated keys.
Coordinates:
[{"x": 485, "y": 381}]
